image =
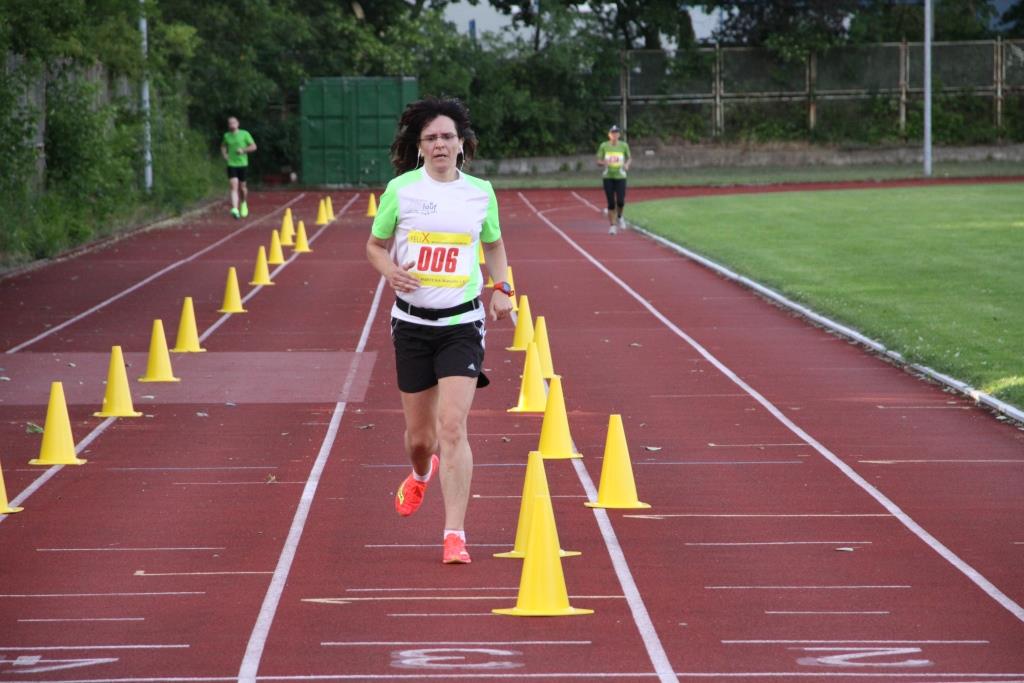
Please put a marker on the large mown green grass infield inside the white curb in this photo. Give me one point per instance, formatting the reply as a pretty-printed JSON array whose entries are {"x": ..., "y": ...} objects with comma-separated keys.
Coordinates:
[{"x": 936, "y": 274}]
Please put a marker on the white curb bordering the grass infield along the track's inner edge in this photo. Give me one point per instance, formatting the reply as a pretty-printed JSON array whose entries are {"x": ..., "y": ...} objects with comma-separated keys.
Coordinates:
[{"x": 831, "y": 325}]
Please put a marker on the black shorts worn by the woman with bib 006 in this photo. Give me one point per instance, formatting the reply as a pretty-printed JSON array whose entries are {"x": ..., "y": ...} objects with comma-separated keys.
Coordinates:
[{"x": 425, "y": 354}]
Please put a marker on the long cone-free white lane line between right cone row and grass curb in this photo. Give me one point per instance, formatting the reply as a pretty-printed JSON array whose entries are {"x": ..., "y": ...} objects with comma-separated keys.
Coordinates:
[{"x": 972, "y": 575}]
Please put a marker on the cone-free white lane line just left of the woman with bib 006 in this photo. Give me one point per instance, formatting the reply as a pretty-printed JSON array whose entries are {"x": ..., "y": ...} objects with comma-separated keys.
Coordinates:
[{"x": 258, "y": 641}]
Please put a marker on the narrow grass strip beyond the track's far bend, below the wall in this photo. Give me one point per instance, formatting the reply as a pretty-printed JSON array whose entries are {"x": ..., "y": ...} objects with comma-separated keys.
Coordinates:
[{"x": 642, "y": 178}]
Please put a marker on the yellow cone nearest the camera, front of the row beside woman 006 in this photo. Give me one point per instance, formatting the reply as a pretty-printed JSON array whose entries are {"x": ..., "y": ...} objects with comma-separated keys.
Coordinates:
[{"x": 542, "y": 585}]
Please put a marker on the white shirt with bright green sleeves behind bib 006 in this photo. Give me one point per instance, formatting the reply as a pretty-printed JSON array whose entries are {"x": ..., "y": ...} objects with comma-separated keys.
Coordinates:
[{"x": 439, "y": 228}]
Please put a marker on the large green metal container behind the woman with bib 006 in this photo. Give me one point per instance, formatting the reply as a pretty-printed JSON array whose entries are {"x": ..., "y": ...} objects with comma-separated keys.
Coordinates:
[{"x": 348, "y": 127}]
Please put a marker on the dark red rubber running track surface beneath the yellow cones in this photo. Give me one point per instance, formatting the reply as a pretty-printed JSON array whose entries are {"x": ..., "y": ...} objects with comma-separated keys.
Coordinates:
[{"x": 737, "y": 564}]
